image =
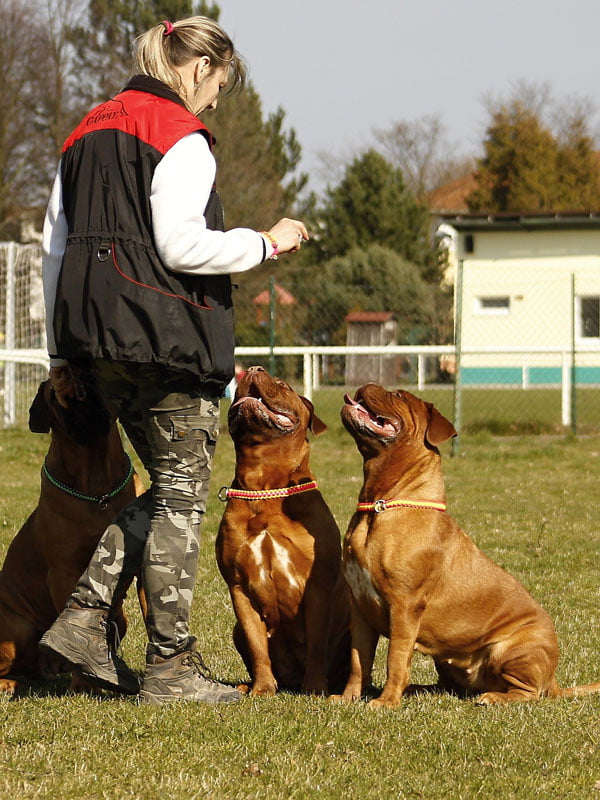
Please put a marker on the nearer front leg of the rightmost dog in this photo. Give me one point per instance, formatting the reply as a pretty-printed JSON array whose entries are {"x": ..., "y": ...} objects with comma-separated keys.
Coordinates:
[{"x": 404, "y": 625}]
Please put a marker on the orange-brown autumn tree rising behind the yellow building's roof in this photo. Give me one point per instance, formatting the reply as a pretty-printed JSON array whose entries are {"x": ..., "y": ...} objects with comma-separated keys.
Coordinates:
[{"x": 527, "y": 167}]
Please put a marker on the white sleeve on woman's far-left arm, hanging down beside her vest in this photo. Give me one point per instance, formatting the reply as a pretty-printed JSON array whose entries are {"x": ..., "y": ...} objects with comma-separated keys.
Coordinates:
[{"x": 54, "y": 241}]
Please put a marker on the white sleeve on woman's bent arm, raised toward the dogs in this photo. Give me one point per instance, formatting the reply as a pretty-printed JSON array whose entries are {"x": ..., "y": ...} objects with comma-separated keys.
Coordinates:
[{"x": 181, "y": 186}]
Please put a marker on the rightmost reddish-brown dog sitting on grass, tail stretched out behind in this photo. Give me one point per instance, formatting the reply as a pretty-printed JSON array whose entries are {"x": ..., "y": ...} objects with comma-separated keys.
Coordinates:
[{"x": 419, "y": 580}]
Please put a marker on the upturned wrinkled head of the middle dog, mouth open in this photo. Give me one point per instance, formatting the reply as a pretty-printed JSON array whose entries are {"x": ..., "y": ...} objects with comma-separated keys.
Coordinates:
[{"x": 270, "y": 407}]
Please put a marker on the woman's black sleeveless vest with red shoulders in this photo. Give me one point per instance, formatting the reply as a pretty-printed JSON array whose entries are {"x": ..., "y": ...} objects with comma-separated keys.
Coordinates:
[{"x": 115, "y": 298}]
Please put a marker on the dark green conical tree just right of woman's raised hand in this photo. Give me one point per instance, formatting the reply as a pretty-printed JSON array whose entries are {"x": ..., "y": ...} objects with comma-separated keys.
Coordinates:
[{"x": 373, "y": 205}]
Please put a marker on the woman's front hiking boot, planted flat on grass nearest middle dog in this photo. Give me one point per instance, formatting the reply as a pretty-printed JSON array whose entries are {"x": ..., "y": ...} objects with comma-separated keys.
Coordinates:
[{"x": 183, "y": 677}]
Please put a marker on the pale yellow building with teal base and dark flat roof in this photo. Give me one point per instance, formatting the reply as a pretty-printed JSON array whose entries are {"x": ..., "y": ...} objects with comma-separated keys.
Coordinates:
[{"x": 527, "y": 284}]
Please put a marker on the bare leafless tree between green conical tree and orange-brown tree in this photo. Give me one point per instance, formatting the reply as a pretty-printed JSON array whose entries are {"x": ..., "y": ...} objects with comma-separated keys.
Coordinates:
[{"x": 421, "y": 150}]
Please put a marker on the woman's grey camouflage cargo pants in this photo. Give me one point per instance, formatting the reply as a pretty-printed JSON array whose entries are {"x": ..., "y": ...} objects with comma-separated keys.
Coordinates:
[{"x": 173, "y": 427}]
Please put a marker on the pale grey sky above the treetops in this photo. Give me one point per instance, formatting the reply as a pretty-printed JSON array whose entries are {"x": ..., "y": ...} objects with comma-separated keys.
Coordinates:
[{"x": 342, "y": 69}]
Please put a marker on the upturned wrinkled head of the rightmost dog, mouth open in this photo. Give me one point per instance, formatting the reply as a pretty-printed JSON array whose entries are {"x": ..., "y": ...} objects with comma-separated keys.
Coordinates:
[{"x": 379, "y": 417}]
